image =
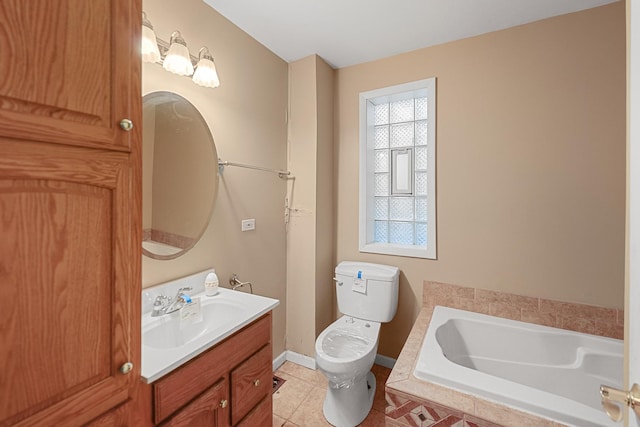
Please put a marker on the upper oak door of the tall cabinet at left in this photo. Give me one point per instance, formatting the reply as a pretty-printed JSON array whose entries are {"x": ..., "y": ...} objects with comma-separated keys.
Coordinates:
[{"x": 67, "y": 70}]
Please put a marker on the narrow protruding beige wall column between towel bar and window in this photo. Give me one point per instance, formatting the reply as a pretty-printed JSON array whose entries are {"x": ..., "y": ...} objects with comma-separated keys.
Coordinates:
[{"x": 310, "y": 229}]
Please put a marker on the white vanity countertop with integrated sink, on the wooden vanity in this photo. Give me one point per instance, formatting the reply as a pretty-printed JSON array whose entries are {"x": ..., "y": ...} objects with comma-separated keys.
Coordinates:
[{"x": 168, "y": 342}]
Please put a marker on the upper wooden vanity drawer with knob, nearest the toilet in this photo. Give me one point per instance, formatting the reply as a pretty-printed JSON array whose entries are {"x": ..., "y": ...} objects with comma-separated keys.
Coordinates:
[{"x": 250, "y": 383}]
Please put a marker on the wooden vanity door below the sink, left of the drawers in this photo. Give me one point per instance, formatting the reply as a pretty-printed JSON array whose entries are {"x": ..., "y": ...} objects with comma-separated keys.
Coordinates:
[{"x": 211, "y": 408}]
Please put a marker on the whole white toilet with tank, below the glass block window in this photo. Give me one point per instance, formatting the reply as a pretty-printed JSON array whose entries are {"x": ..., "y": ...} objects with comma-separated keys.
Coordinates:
[{"x": 367, "y": 296}]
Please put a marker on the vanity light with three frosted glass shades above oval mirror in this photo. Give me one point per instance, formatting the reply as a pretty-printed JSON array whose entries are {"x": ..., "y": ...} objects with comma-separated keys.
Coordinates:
[{"x": 175, "y": 57}]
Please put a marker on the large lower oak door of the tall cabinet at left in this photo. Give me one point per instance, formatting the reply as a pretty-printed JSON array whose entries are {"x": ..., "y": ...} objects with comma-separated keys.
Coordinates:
[{"x": 69, "y": 256}]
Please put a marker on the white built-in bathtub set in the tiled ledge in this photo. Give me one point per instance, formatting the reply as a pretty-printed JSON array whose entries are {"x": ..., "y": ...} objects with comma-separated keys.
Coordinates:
[{"x": 552, "y": 373}]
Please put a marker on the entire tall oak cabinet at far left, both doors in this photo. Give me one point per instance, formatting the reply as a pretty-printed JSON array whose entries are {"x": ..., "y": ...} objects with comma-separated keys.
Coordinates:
[{"x": 70, "y": 197}]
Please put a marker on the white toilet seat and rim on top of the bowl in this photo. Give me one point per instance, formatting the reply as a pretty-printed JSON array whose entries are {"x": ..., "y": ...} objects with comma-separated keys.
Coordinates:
[{"x": 347, "y": 339}]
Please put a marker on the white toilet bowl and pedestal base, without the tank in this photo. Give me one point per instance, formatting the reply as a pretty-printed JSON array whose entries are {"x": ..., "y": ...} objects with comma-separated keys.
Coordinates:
[{"x": 345, "y": 352}]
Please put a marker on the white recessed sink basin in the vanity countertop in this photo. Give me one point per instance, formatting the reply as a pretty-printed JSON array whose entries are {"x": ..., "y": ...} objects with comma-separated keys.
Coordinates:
[{"x": 171, "y": 332}]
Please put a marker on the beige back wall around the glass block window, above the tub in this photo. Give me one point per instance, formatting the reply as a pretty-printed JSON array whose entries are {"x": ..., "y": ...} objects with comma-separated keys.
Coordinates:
[{"x": 530, "y": 162}]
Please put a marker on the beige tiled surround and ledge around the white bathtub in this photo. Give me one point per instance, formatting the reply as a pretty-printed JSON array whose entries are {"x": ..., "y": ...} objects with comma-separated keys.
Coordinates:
[{"x": 413, "y": 402}]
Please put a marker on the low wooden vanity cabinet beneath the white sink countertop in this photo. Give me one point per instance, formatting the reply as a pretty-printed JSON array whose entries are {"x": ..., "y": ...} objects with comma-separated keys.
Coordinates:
[{"x": 229, "y": 384}]
